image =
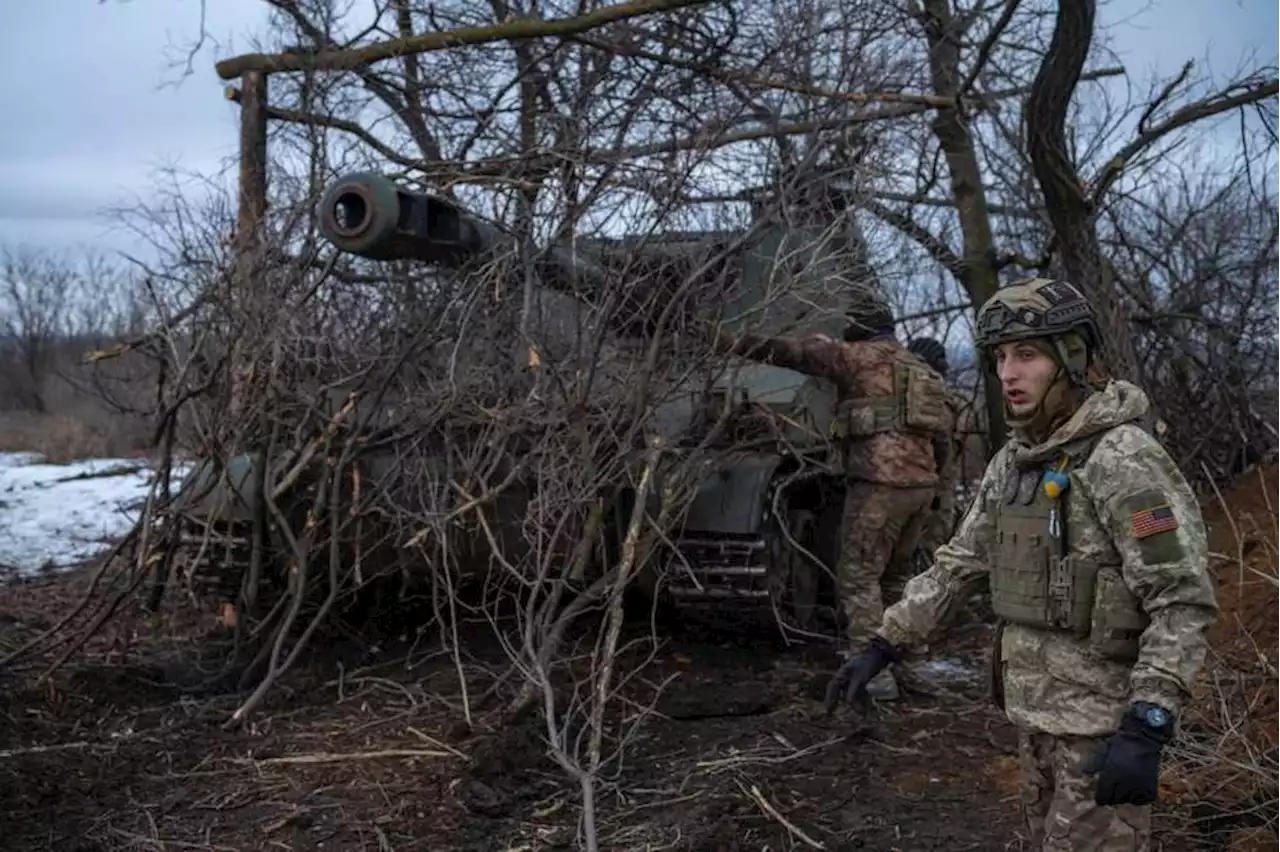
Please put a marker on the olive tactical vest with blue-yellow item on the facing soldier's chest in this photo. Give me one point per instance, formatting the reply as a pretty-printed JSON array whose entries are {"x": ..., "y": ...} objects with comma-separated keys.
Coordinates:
[{"x": 1039, "y": 581}]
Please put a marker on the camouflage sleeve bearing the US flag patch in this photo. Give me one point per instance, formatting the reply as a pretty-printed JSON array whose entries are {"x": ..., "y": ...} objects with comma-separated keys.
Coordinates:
[{"x": 1156, "y": 526}]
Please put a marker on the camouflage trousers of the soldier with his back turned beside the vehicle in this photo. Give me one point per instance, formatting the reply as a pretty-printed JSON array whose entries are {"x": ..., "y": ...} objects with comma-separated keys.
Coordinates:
[{"x": 880, "y": 534}]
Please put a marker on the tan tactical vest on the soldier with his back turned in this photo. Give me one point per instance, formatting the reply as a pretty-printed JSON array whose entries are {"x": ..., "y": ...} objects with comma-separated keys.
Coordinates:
[{"x": 917, "y": 405}]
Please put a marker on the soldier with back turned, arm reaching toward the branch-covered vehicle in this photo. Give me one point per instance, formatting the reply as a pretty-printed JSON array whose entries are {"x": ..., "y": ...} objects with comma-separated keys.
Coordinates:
[{"x": 889, "y": 410}]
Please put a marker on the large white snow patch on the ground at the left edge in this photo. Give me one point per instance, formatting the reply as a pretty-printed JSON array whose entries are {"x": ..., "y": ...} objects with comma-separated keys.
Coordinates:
[{"x": 56, "y": 516}]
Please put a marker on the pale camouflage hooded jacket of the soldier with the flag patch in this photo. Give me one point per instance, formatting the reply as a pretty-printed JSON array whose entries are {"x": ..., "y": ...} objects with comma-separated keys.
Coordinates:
[{"x": 1052, "y": 680}]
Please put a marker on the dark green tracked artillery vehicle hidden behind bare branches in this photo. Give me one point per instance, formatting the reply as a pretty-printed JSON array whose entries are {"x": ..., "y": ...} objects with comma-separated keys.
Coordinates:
[{"x": 762, "y": 530}]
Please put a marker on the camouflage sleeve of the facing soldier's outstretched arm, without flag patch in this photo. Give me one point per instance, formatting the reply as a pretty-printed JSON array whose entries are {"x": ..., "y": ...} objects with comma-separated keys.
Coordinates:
[{"x": 931, "y": 598}]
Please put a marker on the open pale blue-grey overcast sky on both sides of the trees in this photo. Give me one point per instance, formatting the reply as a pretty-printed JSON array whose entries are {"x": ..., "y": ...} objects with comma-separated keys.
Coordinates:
[{"x": 88, "y": 117}]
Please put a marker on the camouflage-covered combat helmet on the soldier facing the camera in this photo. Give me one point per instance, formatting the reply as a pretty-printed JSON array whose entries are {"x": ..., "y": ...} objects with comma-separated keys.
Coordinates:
[{"x": 1043, "y": 309}]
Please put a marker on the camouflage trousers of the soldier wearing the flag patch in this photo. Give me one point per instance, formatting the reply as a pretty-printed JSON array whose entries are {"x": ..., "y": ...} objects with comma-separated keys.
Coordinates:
[{"x": 1058, "y": 800}]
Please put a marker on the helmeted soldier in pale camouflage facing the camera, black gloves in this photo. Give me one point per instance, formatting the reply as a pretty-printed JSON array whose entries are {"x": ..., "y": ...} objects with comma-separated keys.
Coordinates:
[{"x": 1096, "y": 553}]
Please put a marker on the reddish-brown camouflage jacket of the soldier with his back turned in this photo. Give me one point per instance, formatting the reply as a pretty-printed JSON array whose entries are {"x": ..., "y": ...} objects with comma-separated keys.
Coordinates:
[{"x": 860, "y": 369}]
